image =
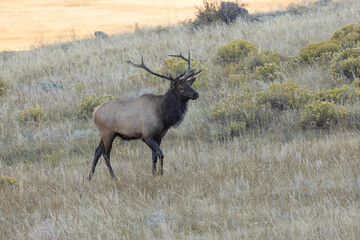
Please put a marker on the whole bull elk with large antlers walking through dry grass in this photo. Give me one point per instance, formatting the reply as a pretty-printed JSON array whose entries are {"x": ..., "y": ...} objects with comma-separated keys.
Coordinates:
[{"x": 147, "y": 117}]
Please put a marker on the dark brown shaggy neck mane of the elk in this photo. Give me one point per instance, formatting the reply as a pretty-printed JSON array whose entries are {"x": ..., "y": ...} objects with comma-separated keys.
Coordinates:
[{"x": 172, "y": 109}]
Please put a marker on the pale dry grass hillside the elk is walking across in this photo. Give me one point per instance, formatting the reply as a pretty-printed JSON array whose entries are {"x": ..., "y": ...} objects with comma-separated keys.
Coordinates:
[{"x": 275, "y": 180}]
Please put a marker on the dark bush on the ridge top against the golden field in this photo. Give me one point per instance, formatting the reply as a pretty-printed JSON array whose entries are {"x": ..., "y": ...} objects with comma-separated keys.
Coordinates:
[{"x": 213, "y": 12}]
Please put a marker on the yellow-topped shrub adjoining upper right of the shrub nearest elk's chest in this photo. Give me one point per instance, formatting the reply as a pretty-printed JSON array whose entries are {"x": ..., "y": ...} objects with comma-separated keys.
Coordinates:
[{"x": 284, "y": 96}]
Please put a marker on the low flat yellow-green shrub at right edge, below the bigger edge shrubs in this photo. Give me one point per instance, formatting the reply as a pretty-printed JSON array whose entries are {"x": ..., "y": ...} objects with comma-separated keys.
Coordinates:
[{"x": 342, "y": 95}]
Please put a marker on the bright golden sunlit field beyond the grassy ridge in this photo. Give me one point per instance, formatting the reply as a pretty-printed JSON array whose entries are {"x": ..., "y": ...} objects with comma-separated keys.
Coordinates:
[{"x": 62, "y": 20}]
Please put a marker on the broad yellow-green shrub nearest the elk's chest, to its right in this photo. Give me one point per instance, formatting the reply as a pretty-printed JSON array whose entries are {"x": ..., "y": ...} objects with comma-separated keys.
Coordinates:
[{"x": 240, "y": 107}]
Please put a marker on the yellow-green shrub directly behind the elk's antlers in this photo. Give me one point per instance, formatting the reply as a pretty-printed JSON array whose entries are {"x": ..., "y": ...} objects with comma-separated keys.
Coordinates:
[{"x": 175, "y": 66}]
